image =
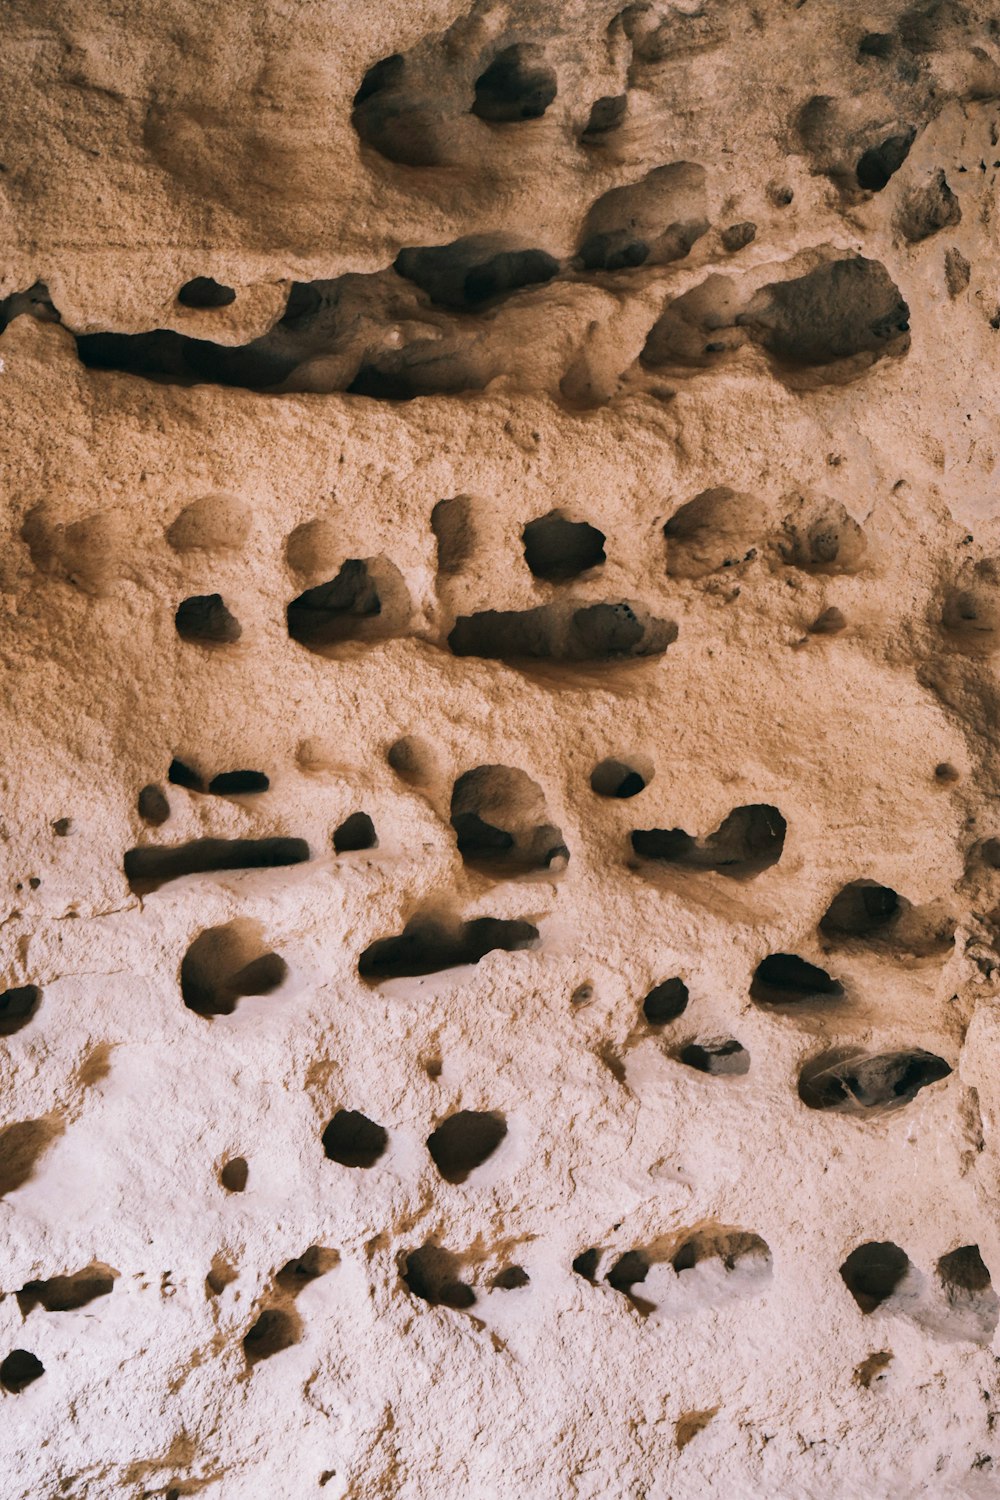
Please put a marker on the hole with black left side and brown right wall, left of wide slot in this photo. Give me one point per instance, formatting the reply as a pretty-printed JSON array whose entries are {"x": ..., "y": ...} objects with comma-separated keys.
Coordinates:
[{"x": 368, "y": 601}]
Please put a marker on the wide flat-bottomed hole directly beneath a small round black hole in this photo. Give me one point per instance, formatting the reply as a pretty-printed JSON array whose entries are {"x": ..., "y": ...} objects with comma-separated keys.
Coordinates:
[{"x": 563, "y": 631}]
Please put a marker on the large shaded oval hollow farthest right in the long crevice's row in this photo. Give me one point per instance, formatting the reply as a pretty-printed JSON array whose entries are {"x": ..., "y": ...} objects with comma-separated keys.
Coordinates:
[{"x": 839, "y": 311}]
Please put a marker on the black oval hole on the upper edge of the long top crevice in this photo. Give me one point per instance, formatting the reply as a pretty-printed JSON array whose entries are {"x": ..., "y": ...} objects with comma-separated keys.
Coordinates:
[{"x": 475, "y": 271}]
